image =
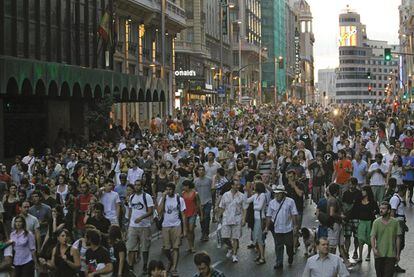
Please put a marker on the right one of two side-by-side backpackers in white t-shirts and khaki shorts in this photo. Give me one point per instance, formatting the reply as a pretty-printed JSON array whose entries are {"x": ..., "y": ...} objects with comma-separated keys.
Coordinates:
[{"x": 171, "y": 211}]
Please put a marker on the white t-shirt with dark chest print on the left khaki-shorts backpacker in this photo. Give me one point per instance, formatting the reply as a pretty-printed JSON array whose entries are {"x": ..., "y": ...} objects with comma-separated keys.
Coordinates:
[{"x": 138, "y": 209}]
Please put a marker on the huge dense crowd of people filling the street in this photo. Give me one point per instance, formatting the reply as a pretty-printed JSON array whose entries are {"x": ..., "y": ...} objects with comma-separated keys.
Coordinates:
[{"x": 92, "y": 209}]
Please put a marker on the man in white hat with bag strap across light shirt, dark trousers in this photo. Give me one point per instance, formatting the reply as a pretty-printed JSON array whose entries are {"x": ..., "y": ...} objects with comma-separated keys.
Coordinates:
[{"x": 281, "y": 220}]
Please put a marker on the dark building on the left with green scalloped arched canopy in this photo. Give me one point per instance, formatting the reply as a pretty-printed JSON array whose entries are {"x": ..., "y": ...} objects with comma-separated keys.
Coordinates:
[{"x": 58, "y": 57}]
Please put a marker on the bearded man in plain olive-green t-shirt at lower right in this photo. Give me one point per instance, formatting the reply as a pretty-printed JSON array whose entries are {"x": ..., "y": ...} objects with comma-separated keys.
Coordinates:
[{"x": 385, "y": 241}]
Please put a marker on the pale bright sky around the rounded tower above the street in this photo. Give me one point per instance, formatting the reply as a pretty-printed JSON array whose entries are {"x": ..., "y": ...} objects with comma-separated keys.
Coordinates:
[{"x": 380, "y": 16}]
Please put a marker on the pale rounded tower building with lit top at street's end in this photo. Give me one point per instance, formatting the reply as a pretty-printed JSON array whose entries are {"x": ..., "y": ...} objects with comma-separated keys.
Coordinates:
[{"x": 363, "y": 75}]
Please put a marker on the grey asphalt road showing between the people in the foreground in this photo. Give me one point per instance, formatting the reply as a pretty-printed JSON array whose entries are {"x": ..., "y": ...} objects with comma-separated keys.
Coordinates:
[{"x": 246, "y": 266}]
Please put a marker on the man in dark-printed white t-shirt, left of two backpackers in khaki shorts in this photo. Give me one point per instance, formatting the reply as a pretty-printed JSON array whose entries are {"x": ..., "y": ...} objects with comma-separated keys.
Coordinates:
[{"x": 141, "y": 208}]
